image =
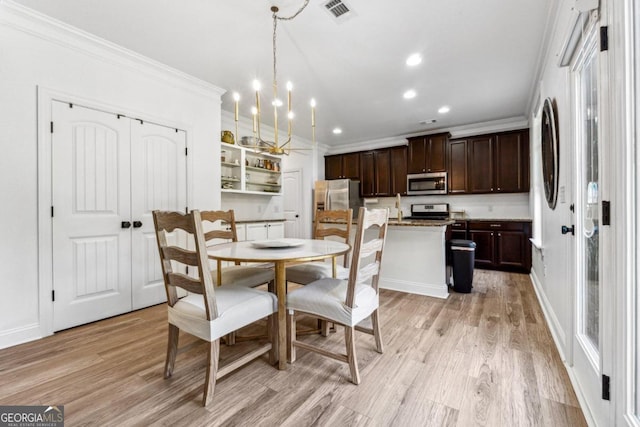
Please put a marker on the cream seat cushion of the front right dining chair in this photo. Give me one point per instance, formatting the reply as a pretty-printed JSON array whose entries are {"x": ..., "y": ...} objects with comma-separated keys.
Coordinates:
[{"x": 326, "y": 298}]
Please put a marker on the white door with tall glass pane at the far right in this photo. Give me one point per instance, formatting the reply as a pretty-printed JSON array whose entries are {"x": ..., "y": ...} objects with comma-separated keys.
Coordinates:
[{"x": 592, "y": 334}]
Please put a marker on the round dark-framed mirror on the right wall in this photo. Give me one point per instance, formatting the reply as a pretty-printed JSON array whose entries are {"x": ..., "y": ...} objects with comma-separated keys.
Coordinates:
[{"x": 549, "y": 132}]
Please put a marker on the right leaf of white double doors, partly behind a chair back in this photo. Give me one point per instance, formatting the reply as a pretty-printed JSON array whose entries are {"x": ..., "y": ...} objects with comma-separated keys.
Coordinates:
[{"x": 158, "y": 181}]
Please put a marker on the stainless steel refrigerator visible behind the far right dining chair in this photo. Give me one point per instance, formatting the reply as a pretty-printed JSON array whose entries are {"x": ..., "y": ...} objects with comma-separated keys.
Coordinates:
[{"x": 337, "y": 194}]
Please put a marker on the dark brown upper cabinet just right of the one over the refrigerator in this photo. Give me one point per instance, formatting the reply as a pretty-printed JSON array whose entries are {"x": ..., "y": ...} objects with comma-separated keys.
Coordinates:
[{"x": 375, "y": 177}]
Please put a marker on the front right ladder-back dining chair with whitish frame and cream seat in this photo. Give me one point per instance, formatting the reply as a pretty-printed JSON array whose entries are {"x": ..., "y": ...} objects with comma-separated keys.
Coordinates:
[{"x": 346, "y": 302}]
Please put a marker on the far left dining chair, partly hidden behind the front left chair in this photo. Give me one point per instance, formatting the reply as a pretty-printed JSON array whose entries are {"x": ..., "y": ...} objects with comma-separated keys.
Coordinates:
[{"x": 238, "y": 275}]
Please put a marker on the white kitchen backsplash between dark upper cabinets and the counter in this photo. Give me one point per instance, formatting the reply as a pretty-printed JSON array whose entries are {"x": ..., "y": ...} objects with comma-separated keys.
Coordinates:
[{"x": 490, "y": 206}]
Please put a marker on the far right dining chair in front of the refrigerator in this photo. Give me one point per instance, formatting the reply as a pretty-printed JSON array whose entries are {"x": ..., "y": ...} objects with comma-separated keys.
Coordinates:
[{"x": 325, "y": 225}]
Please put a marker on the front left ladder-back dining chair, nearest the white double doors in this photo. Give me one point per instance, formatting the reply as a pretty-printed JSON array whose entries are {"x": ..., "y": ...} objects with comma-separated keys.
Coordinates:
[{"x": 207, "y": 312}]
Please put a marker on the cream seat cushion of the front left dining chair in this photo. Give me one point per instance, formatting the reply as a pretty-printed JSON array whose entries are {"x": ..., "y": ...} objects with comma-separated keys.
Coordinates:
[{"x": 237, "y": 307}]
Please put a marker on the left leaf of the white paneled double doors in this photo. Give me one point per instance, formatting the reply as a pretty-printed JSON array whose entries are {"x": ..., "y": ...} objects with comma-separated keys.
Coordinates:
[{"x": 91, "y": 201}]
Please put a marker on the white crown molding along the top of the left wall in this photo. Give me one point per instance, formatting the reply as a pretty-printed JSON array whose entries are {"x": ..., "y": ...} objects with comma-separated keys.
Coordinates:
[{"x": 29, "y": 21}]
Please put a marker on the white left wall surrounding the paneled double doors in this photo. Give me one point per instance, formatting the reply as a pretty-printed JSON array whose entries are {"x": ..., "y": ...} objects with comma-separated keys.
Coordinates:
[{"x": 41, "y": 53}]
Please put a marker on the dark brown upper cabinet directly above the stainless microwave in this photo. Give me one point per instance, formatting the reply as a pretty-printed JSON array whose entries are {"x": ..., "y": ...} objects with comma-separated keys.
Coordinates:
[{"x": 427, "y": 153}]
